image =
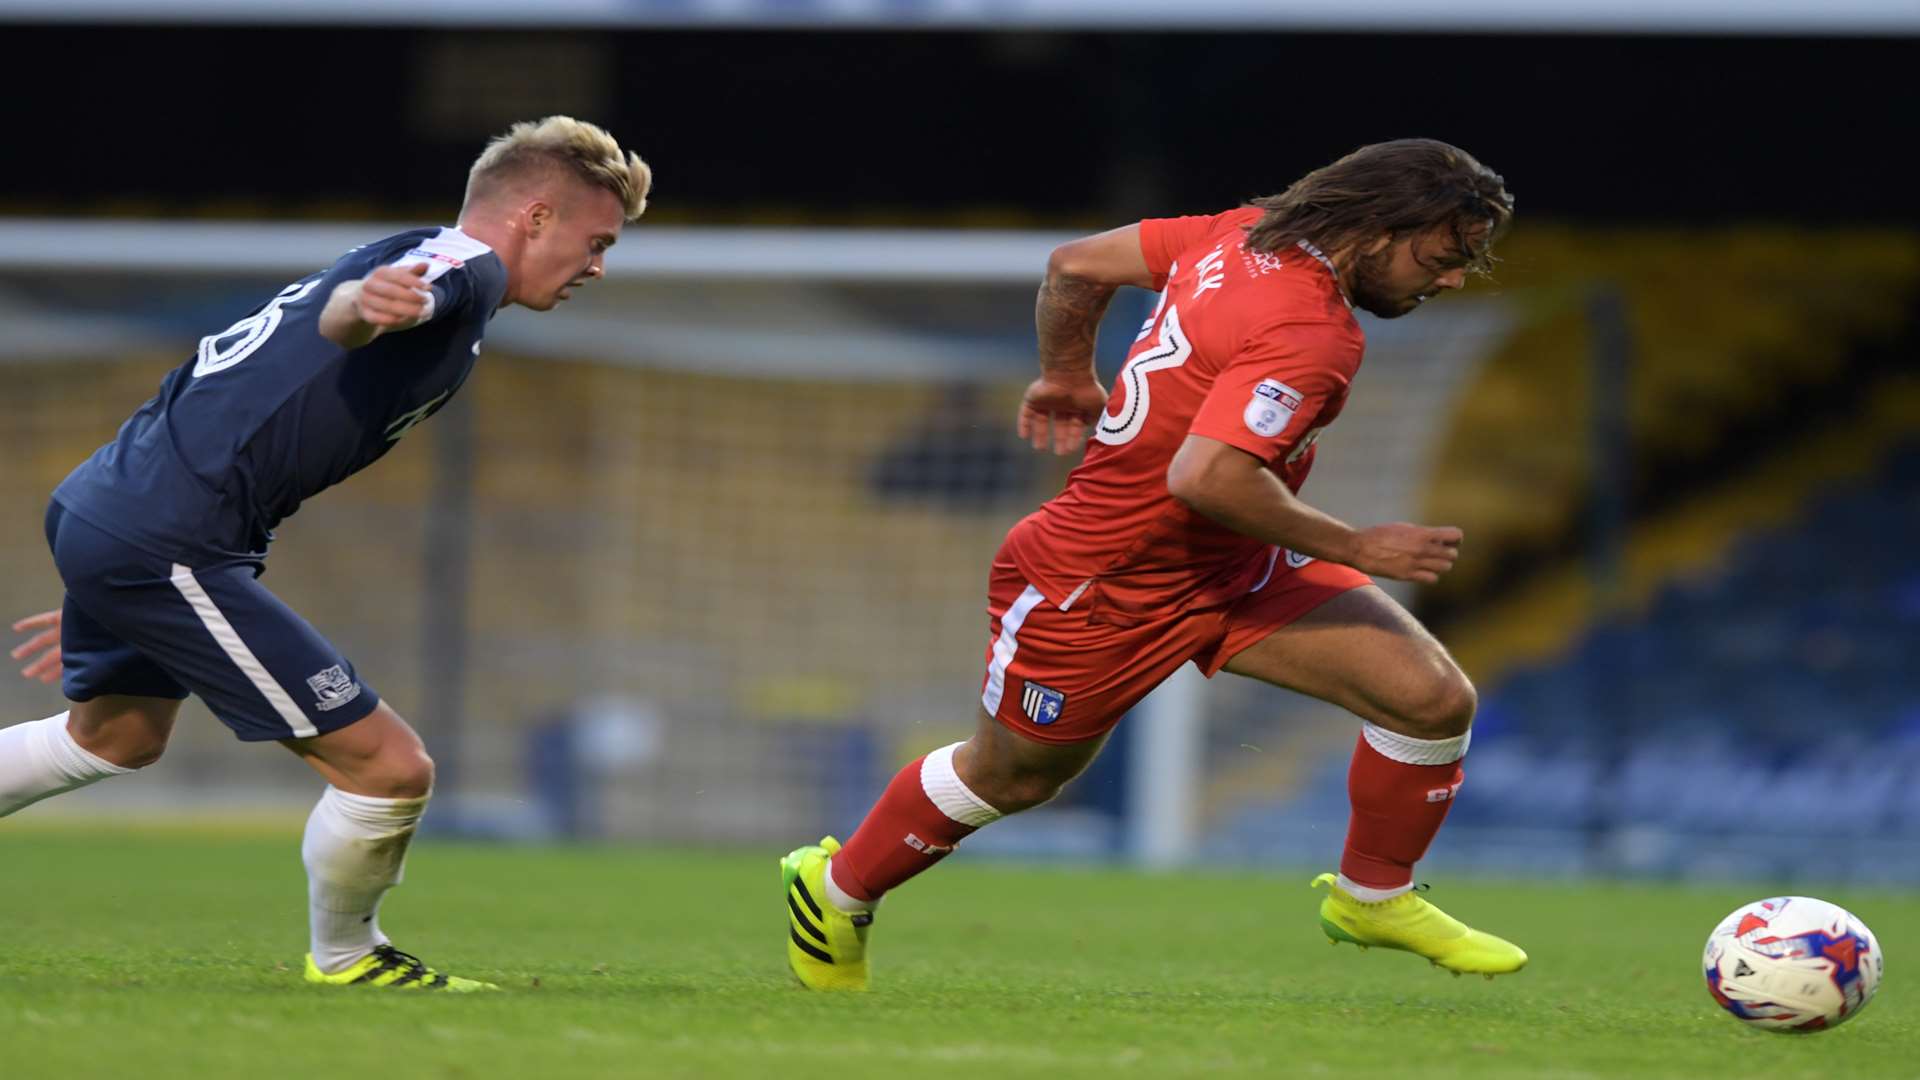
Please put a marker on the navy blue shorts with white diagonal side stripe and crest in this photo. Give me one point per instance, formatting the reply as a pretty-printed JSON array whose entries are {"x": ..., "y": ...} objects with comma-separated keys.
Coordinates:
[{"x": 143, "y": 626}]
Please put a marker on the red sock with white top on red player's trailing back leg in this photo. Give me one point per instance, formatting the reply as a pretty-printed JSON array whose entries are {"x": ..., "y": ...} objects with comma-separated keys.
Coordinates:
[{"x": 919, "y": 820}]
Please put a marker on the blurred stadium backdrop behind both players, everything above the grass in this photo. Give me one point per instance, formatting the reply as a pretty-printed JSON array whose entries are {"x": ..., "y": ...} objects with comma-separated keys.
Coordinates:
[{"x": 702, "y": 558}]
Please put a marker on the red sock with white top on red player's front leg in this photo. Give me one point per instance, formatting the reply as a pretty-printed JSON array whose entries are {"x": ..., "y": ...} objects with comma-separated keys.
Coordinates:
[{"x": 1399, "y": 806}]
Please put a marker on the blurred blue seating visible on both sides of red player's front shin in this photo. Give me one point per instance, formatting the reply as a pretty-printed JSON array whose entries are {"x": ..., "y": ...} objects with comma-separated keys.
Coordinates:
[{"x": 1762, "y": 720}]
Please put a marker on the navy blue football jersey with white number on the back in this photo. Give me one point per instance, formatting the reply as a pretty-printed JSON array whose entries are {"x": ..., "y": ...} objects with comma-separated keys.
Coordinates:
[{"x": 268, "y": 412}]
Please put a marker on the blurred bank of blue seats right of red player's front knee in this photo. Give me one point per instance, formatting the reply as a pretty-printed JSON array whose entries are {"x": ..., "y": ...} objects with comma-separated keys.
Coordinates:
[{"x": 1777, "y": 693}]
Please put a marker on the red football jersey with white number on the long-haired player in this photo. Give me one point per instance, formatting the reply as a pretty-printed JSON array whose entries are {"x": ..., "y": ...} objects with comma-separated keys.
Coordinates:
[{"x": 1251, "y": 349}]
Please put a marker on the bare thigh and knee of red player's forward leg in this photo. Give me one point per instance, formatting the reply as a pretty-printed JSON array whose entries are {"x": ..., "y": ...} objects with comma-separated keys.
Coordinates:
[{"x": 1368, "y": 654}]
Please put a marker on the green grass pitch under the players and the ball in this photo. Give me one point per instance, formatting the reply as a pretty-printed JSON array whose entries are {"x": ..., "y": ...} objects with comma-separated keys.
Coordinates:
[{"x": 172, "y": 952}]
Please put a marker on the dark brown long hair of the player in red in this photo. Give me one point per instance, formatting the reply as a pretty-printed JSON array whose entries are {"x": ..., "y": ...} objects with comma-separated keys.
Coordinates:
[{"x": 1399, "y": 187}]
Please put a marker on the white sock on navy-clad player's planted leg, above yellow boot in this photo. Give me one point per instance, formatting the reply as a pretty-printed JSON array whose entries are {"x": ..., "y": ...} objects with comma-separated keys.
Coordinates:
[{"x": 356, "y": 850}]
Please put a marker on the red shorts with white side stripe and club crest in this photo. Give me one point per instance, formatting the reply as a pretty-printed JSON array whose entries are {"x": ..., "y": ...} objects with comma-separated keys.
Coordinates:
[{"x": 1061, "y": 677}]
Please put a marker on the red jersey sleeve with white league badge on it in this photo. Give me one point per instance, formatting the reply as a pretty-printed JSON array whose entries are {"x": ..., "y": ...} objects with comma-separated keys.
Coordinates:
[{"x": 1276, "y": 389}]
